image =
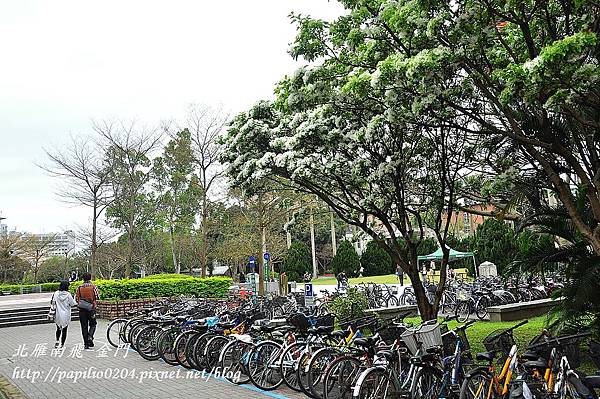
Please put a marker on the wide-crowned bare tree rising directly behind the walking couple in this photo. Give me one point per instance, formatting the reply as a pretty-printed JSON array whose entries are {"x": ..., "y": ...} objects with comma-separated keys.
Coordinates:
[{"x": 81, "y": 169}]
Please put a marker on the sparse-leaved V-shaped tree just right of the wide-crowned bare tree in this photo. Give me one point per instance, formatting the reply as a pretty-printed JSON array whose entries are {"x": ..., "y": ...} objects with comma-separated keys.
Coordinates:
[{"x": 128, "y": 150}]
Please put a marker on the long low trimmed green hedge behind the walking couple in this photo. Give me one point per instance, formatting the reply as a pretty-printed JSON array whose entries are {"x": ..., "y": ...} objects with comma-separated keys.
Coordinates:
[{"x": 210, "y": 287}]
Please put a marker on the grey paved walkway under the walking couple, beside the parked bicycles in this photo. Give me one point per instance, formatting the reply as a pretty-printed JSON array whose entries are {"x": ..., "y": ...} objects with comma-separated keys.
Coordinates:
[{"x": 29, "y": 362}]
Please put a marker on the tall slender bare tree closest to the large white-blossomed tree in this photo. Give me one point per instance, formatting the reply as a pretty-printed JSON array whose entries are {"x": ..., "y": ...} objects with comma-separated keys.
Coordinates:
[{"x": 205, "y": 123}]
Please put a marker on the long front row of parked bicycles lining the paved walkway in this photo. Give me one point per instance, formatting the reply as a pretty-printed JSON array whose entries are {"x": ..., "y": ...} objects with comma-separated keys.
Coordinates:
[{"x": 363, "y": 358}]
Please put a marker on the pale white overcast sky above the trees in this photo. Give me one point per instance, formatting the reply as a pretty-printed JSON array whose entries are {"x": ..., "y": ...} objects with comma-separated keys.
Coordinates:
[{"x": 66, "y": 63}]
